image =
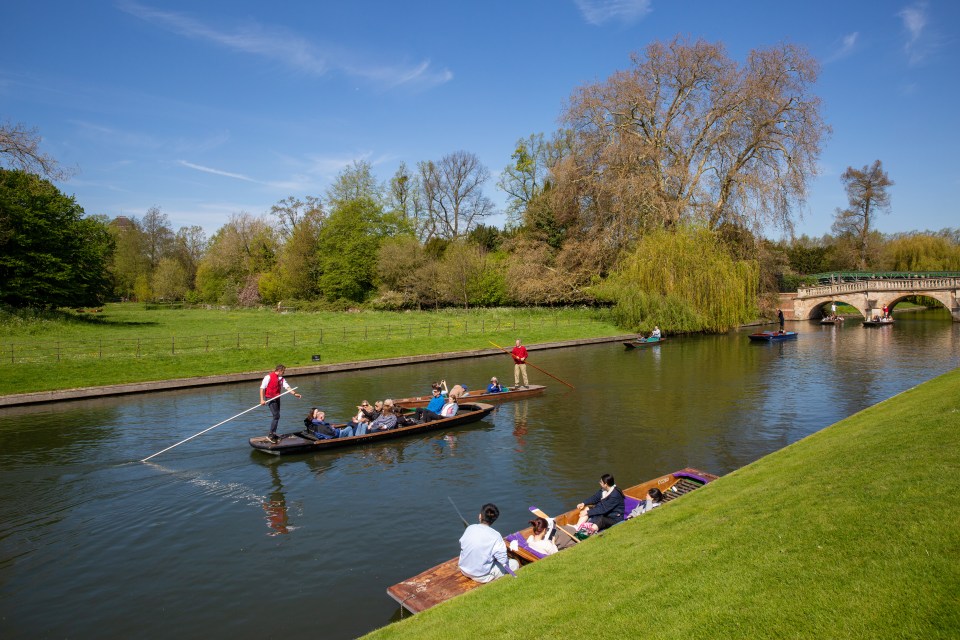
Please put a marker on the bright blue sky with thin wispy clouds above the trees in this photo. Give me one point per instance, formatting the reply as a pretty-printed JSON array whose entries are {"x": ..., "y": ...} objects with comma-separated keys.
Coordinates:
[{"x": 210, "y": 108}]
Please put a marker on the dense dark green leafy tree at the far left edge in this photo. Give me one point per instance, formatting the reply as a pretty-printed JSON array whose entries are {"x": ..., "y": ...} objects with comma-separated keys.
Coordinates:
[{"x": 50, "y": 254}]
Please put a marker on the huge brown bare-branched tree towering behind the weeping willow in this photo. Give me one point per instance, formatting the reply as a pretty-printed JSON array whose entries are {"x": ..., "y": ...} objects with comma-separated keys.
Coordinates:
[{"x": 687, "y": 133}]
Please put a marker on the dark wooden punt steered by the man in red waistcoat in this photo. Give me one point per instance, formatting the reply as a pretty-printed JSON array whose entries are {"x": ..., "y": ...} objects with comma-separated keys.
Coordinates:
[{"x": 306, "y": 442}]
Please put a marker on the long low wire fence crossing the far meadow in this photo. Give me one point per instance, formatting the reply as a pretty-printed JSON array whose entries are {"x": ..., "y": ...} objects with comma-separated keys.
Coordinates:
[{"x": 22, "y": 352}]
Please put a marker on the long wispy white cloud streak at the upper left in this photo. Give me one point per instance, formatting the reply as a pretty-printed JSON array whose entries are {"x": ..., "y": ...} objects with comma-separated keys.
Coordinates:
[{"x": 290, "y": 49}]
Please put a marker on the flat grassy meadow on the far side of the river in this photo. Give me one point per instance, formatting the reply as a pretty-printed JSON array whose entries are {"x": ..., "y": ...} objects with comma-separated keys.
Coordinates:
[{"x": 129, "y": 343}]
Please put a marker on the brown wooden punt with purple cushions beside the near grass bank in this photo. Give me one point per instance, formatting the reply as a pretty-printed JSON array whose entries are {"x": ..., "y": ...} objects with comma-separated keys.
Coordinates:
[{"x": 445, "y": 581}]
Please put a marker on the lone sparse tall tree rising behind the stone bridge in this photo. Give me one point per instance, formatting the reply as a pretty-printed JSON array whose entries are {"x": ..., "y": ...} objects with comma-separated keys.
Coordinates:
[{"x": 867, "y": 196}]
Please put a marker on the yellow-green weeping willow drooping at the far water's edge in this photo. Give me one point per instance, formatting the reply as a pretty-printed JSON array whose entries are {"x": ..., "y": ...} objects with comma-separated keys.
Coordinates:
[{"x": 683, "y": 280}]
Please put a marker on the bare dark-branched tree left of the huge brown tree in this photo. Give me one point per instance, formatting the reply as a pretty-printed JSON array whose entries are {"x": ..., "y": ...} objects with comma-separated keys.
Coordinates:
[{"x": 453, "y": 194}]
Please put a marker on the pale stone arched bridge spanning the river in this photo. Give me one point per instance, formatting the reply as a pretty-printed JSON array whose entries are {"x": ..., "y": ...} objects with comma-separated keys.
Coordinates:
[{"x": 870, "y": 296}]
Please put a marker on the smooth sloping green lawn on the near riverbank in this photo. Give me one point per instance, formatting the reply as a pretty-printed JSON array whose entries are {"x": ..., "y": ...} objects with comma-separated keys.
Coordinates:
[{"x": 849, "y": 533}]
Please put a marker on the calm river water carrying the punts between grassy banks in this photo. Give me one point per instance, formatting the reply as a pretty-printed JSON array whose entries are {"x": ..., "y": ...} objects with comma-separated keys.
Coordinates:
[{"x": 212, "y": 539}]
